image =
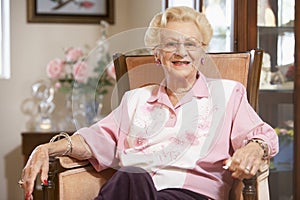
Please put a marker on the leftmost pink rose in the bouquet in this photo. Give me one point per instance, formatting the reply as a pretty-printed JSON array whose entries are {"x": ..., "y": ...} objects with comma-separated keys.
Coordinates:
[{"x": 55, "y": 69}]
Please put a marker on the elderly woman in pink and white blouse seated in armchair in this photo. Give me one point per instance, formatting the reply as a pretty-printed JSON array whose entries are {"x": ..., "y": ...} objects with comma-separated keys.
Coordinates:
[{"x": 170, "y": 141}]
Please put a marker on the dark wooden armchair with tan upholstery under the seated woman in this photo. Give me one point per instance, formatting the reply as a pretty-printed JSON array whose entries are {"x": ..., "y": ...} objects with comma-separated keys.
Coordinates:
[{"x": 72, "y": 179}]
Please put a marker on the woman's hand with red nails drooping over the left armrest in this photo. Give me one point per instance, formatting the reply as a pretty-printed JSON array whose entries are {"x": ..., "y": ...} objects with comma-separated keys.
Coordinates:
[{"x": 38, "y": 163}]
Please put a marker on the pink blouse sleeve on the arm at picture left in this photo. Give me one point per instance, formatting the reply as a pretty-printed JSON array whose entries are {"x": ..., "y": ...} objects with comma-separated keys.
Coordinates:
[{"x": 103, "y": 136}]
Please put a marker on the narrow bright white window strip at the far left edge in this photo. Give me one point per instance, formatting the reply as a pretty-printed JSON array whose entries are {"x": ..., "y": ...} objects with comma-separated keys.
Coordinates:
[{"x": 5, "y": 40}]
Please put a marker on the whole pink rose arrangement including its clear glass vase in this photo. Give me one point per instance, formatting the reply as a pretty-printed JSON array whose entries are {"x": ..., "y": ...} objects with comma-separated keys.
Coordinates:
[{"x": 84, "y": 78}]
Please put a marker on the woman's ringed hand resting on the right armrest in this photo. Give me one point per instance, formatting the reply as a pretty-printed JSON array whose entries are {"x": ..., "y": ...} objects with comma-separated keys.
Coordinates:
[{"x": 246, "y": 161}]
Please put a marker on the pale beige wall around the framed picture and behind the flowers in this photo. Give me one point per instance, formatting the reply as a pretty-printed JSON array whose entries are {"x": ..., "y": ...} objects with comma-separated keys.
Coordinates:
[{"x": 32, "y": 46}]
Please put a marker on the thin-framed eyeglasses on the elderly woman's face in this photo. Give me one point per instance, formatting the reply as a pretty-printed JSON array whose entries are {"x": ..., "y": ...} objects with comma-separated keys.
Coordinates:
[{"x": 173, "y": 46}]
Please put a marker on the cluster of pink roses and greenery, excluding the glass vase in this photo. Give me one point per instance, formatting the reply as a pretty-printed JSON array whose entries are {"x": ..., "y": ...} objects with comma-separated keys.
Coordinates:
[{"x": 73, "y": 72}]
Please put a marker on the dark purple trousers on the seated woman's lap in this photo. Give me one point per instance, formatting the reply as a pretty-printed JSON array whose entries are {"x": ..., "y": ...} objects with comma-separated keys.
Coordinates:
[{"x": 131, "y": 183}]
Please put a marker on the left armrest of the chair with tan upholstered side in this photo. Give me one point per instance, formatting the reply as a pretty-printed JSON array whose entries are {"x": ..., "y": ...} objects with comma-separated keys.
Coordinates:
[{"x": 67, "y": 175}]
